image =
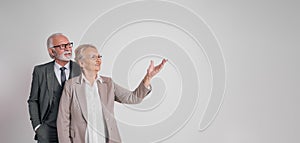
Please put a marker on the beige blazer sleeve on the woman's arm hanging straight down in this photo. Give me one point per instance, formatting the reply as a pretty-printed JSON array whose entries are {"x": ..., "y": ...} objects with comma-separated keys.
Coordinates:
[{"x": 63, "y": 117}]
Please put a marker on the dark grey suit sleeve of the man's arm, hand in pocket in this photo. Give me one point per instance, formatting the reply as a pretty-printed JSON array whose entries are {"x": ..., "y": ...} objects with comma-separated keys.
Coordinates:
[{"x": 33, "y": 103}]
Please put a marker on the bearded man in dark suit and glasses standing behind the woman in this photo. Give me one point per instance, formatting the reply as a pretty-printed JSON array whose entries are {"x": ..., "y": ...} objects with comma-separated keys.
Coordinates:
[{"x": 47, "y": 84}]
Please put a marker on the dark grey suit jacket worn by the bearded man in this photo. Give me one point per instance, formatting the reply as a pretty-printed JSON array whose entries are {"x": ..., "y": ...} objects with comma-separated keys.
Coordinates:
[{"x": 41, "y": 94}]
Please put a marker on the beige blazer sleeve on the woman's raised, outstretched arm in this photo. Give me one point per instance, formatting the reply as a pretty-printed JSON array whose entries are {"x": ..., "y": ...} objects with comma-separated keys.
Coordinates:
[{"x": 131, "y": 97}]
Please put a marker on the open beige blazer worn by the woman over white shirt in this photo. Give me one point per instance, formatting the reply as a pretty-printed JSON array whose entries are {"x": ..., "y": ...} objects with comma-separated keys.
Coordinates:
[{"x": 72, "y": 113}]
